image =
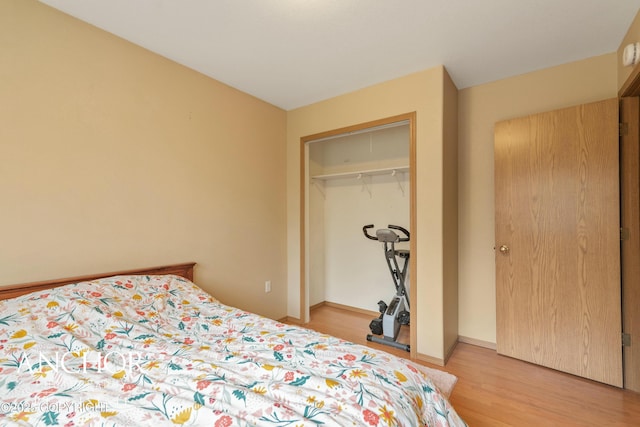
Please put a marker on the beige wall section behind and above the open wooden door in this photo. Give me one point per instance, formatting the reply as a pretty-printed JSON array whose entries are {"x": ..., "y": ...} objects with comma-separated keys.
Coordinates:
[{"x": 479, "y": 108}]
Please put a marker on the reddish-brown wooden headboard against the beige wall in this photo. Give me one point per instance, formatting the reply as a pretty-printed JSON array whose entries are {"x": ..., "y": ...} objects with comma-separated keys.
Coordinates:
[{"x": 184, "y": 270}]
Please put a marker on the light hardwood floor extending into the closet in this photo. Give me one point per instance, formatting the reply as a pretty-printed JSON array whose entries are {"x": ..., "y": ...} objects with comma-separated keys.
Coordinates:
[{"x": 494, "y": 390}]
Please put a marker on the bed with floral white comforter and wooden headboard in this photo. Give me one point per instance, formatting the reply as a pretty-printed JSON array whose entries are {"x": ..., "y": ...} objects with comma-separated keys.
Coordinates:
[{"x": 148, "y": 347}]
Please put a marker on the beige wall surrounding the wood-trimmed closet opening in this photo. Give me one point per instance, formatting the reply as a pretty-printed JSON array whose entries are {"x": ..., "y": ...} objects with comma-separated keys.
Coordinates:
[{"x": 420, "y": 92}]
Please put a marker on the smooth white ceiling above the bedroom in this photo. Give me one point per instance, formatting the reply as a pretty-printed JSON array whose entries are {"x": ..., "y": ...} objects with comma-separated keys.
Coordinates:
[{"x": 292, "y": 53}]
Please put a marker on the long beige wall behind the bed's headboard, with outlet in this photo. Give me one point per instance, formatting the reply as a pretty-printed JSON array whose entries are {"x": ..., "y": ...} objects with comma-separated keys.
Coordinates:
[{"x": 112, "y": 157}]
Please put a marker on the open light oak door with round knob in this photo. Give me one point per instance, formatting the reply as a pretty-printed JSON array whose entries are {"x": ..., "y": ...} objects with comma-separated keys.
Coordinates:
[{"x": 558, "y": 240}]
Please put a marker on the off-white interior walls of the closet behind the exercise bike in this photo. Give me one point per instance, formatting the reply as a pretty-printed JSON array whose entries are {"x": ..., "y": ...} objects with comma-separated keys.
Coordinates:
[{"x": 355, "y": 180}]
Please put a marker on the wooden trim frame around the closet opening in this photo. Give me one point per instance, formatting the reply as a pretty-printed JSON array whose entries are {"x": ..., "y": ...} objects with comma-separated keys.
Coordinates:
[{"x": 304, "y": 184}]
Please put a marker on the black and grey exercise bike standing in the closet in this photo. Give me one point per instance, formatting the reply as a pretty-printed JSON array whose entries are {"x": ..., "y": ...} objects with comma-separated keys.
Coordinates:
[{"x": 395, "y": 314}]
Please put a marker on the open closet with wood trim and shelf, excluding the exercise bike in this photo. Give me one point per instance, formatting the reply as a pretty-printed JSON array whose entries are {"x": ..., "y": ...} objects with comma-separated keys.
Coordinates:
[{"x": 350, "y": 178}]
